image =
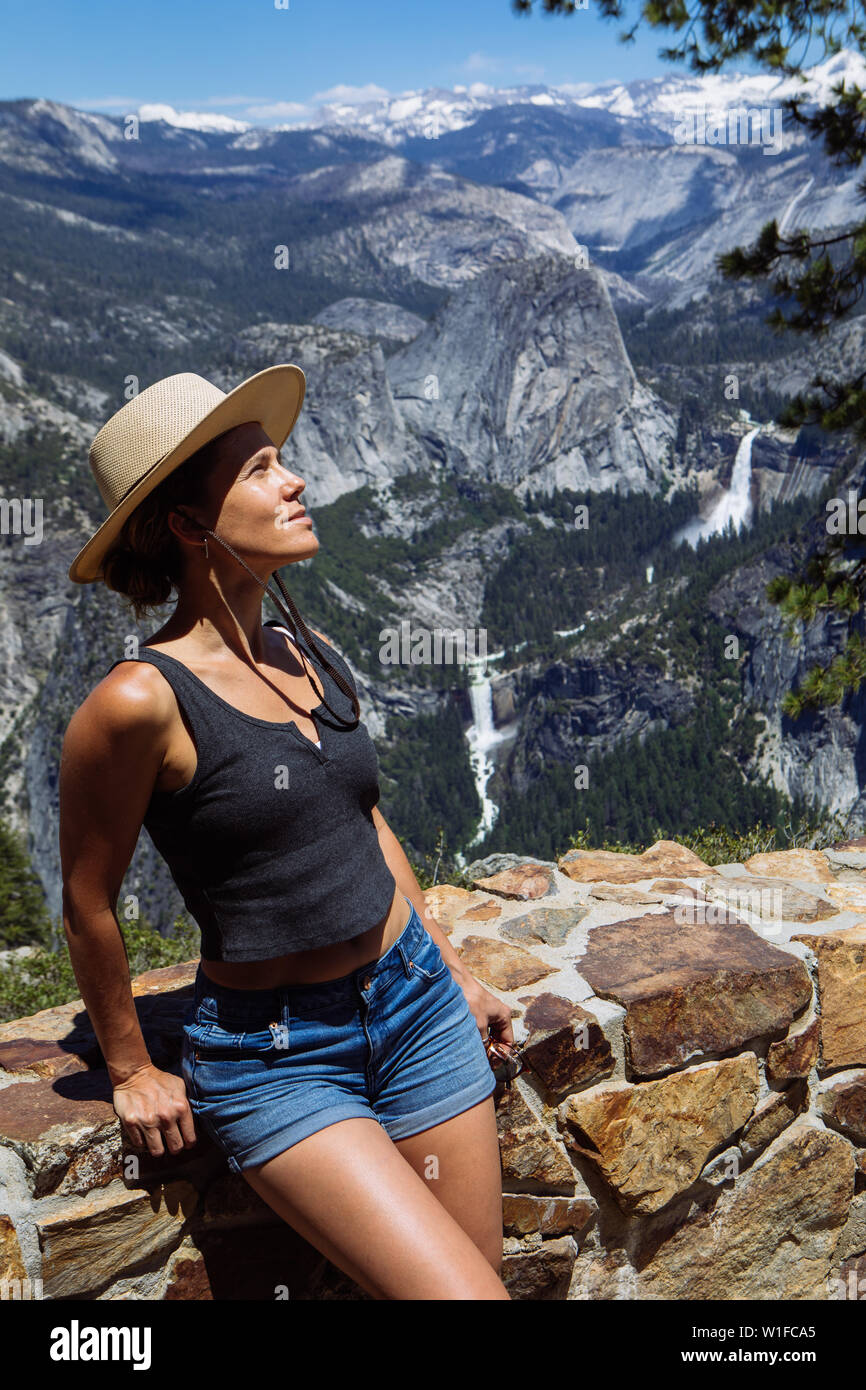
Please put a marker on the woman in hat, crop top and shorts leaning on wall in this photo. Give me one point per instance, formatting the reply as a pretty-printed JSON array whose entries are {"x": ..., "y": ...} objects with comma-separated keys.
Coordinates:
[{"x": 336, "y": 1049}]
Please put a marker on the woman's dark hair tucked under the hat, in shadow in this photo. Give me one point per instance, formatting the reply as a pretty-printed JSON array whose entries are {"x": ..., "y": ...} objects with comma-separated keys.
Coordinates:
[{"x": 147, "y": 561}]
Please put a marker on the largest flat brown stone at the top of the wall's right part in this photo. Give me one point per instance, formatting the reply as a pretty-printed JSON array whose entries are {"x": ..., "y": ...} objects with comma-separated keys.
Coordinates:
[{"x": 692, "y": 989}]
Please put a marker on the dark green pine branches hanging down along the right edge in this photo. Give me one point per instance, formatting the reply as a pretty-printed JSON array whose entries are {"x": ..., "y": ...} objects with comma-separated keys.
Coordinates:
[{"x": 817, "y": 280}]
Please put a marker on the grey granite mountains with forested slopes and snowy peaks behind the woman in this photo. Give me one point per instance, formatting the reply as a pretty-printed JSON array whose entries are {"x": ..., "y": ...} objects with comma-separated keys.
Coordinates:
[{"x": 505, "y": 305}]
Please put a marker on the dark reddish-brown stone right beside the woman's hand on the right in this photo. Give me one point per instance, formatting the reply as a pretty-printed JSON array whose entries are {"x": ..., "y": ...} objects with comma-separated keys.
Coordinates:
[{"x": 565, "y": 1046}]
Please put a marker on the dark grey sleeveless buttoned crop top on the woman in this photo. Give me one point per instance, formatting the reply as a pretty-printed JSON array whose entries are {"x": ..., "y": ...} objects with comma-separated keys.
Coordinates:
[{"x": 272, "y": 843}]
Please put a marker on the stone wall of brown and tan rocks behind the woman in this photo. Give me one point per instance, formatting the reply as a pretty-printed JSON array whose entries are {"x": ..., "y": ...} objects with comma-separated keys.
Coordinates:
[{"x": 690, "y": 1125}]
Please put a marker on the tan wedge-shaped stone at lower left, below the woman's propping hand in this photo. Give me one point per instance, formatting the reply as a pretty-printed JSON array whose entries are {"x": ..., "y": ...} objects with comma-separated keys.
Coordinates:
[{"x": 92, "y": 1241}]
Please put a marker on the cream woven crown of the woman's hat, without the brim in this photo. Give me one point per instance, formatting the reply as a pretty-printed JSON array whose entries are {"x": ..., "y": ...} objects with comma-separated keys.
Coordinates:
[{"x": 147, "y": 429}]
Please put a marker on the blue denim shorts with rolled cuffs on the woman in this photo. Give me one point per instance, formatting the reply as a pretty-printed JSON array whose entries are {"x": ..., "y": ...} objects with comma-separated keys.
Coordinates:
[{"x": 395, "y": 1040}]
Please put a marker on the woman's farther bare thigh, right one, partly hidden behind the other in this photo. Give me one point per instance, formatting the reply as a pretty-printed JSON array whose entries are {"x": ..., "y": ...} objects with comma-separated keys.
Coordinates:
[{"x": 459, "y": 1161}]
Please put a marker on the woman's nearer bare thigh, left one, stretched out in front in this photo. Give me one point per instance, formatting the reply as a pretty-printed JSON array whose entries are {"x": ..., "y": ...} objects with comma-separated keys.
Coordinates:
[{"x": 352, "y": 1195}]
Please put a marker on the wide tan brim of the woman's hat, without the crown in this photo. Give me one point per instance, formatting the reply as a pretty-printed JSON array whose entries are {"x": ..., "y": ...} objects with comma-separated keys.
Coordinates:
[{"x": 273, "y": 398}]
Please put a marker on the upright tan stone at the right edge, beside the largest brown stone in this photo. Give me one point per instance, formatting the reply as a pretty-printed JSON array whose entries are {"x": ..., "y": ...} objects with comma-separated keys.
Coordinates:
[{"x": 842, "y": 985}]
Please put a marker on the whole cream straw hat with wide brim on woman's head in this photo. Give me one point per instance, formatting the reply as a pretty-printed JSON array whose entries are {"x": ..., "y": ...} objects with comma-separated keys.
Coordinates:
[{"x": 163, "y": 426}]
